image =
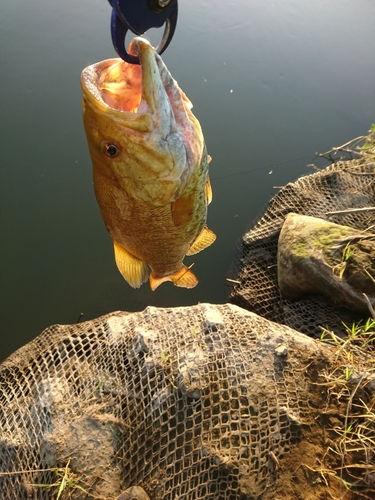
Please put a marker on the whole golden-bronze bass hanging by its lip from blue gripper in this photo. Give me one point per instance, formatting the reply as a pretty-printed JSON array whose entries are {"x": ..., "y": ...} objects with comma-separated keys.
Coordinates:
[{"x": 150, "y": 167}]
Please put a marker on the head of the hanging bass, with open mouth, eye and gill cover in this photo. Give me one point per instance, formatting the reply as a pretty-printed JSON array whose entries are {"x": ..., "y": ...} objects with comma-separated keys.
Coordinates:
[{"x": 141, "y": 132}]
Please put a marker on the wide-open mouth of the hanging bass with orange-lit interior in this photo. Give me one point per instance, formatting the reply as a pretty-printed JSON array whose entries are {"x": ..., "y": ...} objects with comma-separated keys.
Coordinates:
[{"x": 141, "y": 91}]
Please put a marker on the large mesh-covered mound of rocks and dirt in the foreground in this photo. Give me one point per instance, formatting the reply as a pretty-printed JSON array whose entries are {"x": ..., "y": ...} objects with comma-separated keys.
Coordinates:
[{"x": 203, "y": 402}]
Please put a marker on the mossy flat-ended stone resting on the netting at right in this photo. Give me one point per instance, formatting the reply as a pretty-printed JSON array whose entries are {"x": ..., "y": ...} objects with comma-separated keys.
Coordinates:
[{"x": 318, "y": 257}]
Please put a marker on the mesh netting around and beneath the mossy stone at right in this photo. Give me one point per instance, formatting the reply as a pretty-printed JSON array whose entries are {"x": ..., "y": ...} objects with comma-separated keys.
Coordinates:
[{"x": 341, "y": 186}]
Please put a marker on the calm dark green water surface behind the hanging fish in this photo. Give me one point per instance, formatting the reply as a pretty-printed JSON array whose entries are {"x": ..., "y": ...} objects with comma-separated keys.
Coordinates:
[{"x": 270, "y": 82}]
